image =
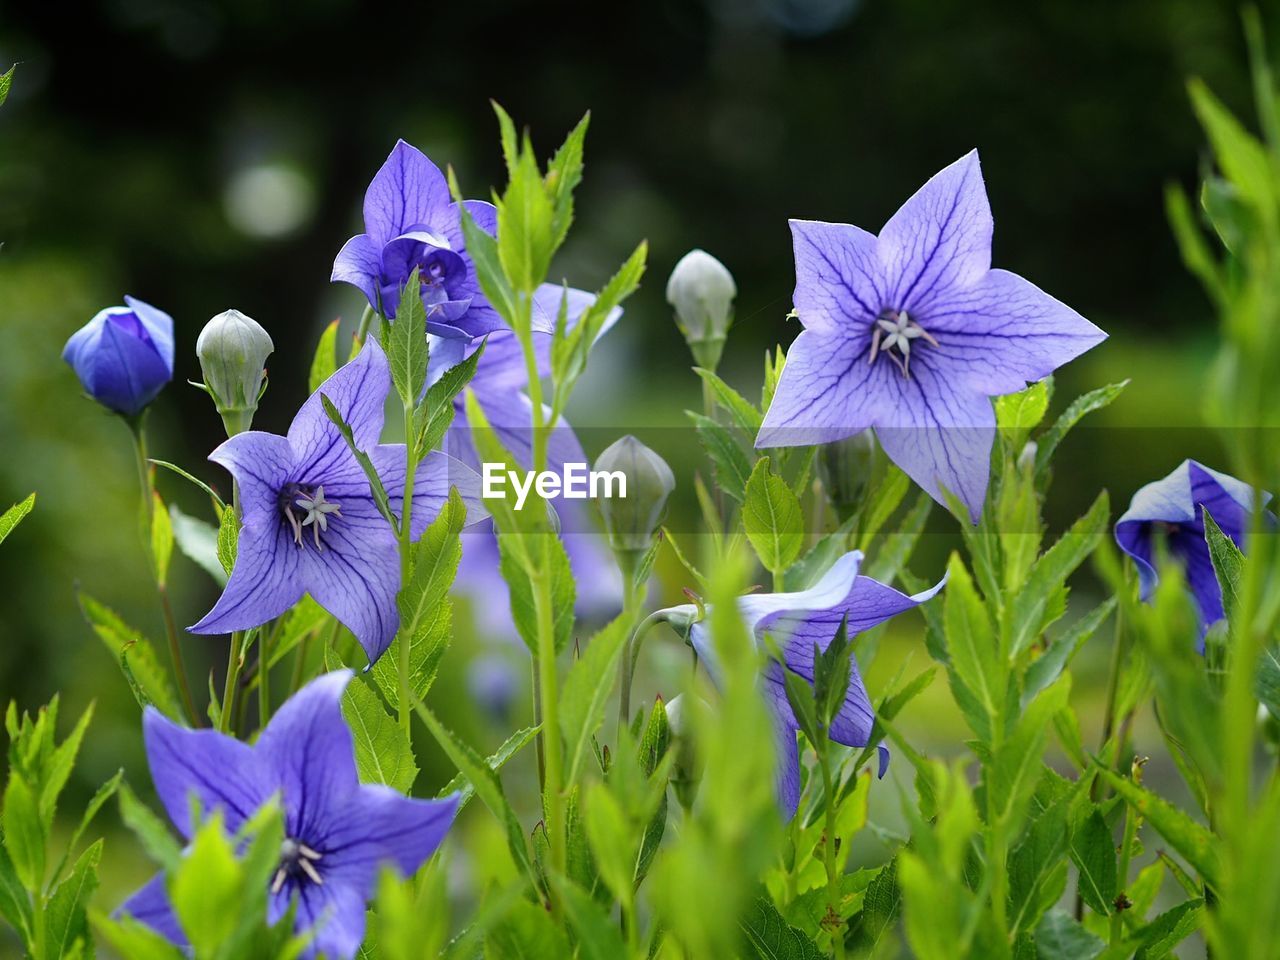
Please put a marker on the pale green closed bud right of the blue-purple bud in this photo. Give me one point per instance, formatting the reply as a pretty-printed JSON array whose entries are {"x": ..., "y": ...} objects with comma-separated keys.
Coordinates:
[{"x": 234, "y": 350}]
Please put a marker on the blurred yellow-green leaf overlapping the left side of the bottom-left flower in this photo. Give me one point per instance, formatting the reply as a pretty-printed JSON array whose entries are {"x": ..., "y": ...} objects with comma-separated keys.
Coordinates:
[{"x": 207, "y": 889}]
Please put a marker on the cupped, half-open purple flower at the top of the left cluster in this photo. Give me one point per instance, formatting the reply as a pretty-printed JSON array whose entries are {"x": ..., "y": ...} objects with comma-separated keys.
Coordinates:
[{"x": 413, "y": 223}]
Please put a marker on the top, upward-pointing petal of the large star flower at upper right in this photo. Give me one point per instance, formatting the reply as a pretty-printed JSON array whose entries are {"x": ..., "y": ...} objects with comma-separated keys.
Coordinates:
[{"x": 939, "y": 239}]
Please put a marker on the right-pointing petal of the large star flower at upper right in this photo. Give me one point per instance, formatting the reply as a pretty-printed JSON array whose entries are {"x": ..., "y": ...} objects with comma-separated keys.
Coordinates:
[{"x": 1003, "y": 332}]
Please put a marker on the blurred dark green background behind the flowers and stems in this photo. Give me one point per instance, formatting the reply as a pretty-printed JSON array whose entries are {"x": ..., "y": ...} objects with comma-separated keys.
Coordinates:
[{"x": 204, "y": 156}]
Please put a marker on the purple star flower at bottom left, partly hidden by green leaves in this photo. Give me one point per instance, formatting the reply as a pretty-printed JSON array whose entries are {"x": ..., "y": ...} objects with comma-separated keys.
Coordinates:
[{"x": 339, "y": 831}]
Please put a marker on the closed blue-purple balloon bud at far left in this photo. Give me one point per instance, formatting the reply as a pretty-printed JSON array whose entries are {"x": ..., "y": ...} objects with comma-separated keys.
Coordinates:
[{"x": 124, "y": 356}]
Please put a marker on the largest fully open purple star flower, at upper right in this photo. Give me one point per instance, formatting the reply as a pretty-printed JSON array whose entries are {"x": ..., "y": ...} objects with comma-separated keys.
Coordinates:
[{"x": 912, "y": 332}]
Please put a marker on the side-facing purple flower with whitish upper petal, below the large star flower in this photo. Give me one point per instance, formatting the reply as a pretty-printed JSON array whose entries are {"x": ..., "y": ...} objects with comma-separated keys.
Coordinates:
[{"x": 797, "y": 621}]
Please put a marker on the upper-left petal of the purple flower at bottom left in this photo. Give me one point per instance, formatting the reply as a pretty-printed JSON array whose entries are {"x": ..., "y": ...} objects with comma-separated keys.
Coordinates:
[{"x": 221, "y": 772}]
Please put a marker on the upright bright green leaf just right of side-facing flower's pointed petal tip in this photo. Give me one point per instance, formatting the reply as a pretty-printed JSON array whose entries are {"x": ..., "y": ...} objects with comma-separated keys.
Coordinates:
[{"x": 972, "y": 643}]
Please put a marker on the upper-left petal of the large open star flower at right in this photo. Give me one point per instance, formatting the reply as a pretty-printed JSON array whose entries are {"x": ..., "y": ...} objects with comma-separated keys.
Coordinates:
[{"x": 839, "y": 284}]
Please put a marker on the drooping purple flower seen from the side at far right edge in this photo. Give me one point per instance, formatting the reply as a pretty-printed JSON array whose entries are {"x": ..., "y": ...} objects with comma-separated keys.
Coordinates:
[{"x": 1174, "y": 509}]
